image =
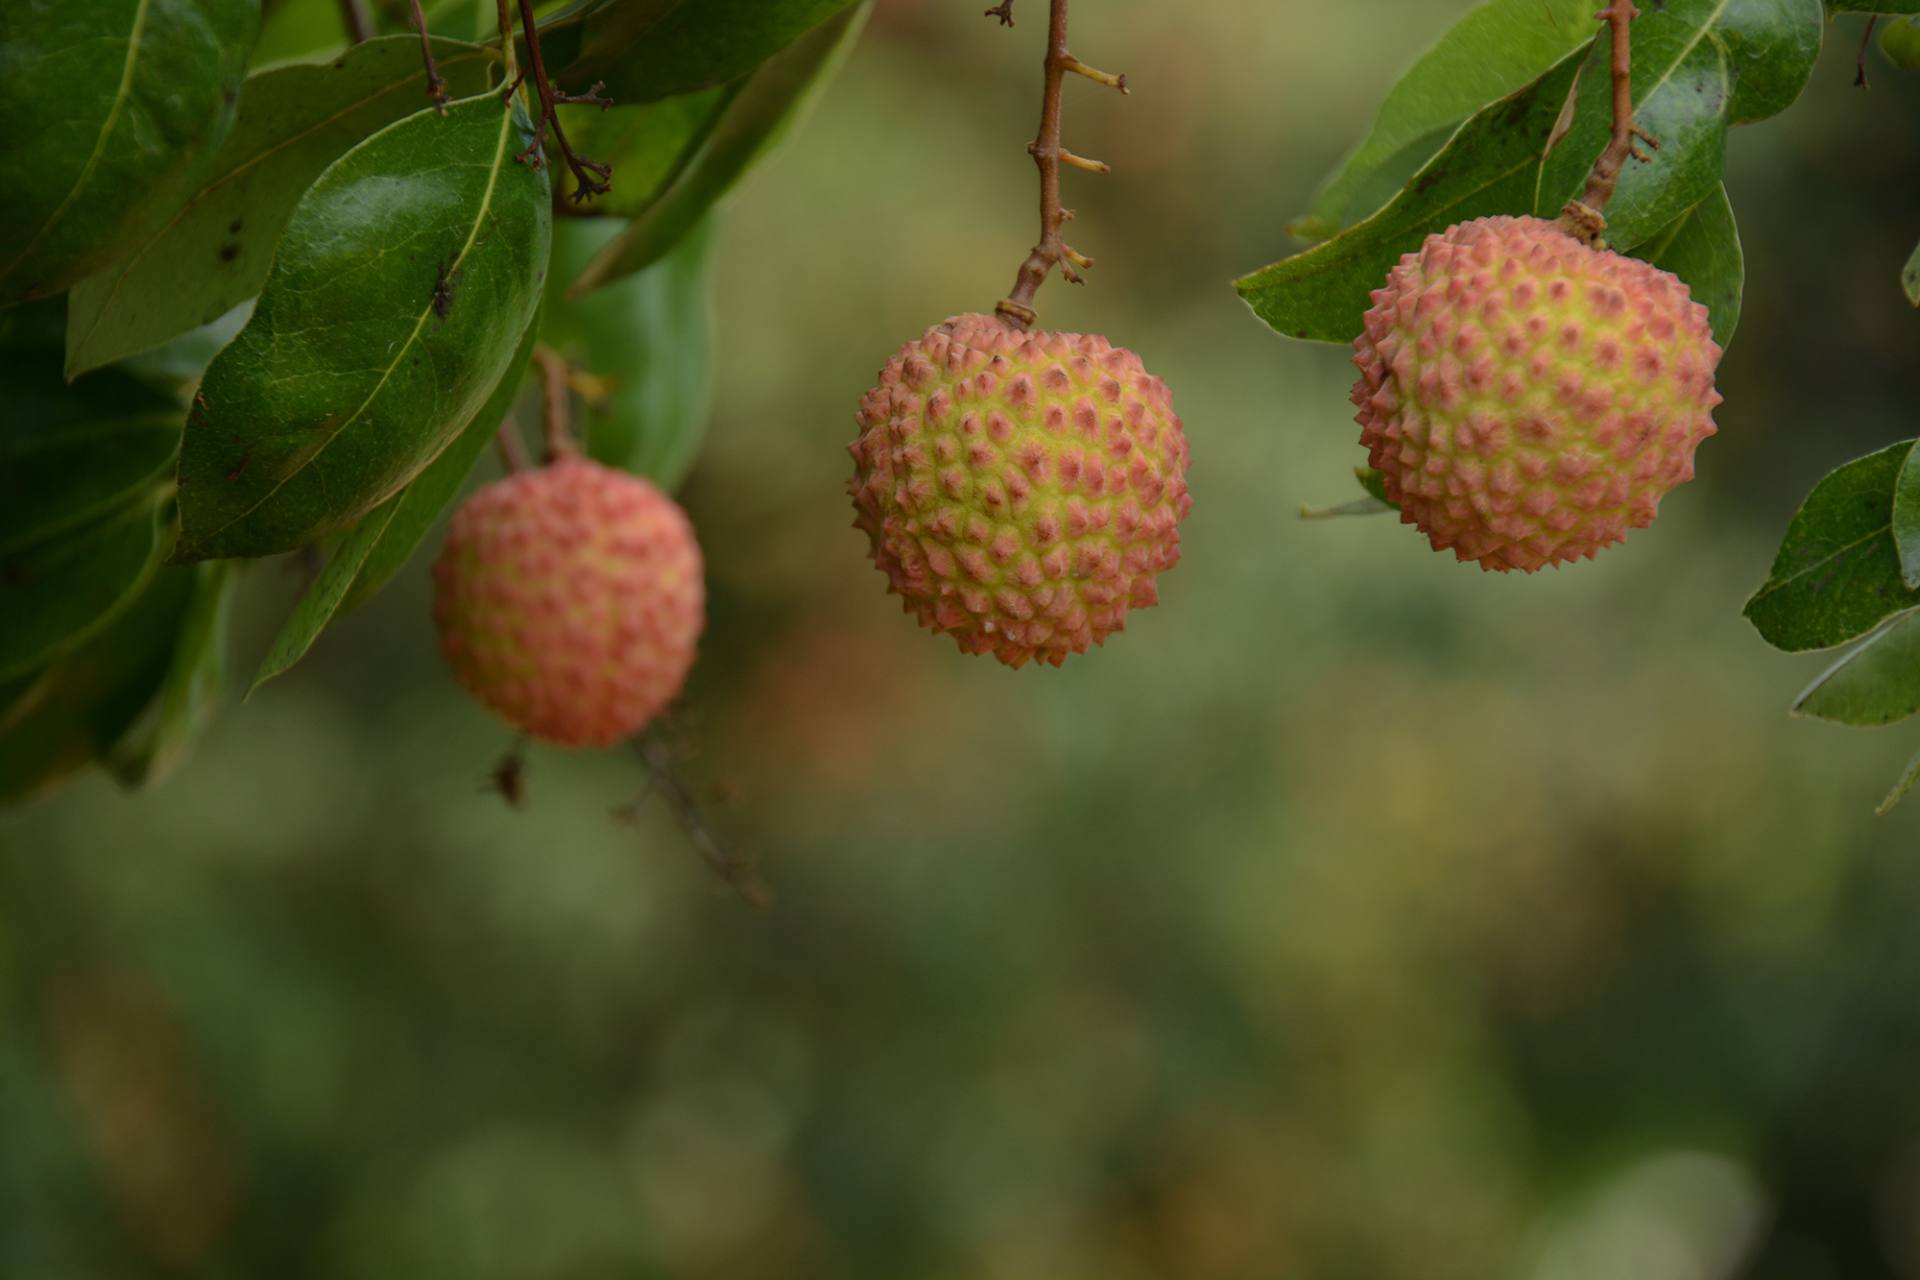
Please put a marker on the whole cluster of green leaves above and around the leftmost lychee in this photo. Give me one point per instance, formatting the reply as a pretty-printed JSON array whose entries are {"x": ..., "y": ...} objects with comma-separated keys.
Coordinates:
[{"x": 274, "y": 308}]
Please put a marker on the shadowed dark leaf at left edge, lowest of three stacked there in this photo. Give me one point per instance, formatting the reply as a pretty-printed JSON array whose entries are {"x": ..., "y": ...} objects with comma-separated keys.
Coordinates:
[{"x": 80, "y": 709}]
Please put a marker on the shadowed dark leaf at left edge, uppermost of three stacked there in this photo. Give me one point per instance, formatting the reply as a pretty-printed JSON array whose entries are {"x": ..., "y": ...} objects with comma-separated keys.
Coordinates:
[{"x": 57, "y": 483}]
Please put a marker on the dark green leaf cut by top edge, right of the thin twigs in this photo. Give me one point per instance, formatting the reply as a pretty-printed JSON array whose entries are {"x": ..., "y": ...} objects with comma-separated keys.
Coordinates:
[{"x": 656, "y": 49}]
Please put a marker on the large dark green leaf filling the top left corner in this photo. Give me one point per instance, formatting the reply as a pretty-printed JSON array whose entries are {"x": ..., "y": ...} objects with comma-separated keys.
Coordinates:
[{"x": 108, "y": 108}]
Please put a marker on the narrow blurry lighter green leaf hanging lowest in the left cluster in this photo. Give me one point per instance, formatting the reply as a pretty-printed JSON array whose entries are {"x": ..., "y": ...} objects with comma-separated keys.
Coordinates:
[{"x": 197, "y": 671}]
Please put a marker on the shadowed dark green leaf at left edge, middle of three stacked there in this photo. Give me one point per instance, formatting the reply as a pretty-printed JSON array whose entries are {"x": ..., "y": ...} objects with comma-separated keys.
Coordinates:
[{"x": 57, "y": 594}]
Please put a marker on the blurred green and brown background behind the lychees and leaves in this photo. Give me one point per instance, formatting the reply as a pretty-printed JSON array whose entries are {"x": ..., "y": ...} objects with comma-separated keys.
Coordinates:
[{"x": 1353, "y": 916}]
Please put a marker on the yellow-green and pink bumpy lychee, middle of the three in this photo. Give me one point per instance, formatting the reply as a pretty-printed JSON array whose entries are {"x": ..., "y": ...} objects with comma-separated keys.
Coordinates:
[{"x": 1020, "y": 490}]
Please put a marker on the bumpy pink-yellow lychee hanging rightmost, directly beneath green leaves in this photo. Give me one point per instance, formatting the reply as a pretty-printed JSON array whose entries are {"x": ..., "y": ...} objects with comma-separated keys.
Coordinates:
[{"x": 1529, "y": 398}]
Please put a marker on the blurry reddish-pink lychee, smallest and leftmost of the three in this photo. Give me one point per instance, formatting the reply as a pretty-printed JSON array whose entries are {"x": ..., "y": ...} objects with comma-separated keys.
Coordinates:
[{"x": 569, "y": 602}]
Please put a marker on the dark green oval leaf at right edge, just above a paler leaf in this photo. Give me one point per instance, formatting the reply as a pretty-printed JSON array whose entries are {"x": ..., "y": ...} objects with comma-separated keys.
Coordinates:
[{"x": 1838, "y": 573}]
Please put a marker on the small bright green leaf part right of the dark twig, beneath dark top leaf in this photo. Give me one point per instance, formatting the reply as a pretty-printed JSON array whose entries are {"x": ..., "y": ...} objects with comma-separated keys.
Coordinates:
[{"x": 646, "y": 147}]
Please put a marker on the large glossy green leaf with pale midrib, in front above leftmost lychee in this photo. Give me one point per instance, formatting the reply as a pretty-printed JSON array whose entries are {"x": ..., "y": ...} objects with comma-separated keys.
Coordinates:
[{"x": 393, "y": 308}]
